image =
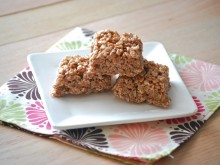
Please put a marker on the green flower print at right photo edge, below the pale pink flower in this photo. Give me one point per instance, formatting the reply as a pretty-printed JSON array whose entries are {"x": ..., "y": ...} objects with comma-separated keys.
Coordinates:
[{"x": 213, "y": 101}]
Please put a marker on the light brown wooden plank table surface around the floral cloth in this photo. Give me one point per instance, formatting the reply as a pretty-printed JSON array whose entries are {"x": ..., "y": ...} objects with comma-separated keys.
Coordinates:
[{"x": 189, "y": 27}]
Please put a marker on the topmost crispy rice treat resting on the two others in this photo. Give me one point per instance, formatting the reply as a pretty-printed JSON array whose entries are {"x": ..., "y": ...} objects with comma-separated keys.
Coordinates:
[{"x": 115, "y": 54}]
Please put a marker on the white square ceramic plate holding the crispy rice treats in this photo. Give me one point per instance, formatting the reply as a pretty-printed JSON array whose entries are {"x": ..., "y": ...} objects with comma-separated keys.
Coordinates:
[{"x": 104, "y": 108}]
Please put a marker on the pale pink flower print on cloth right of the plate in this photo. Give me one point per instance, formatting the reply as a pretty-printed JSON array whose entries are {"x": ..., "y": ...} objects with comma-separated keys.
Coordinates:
[{"x": 200, "y": 74}]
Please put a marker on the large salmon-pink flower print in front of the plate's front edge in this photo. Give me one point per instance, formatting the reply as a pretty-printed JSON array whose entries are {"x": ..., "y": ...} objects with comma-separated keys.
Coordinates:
[{"x": 138, "y": 139}]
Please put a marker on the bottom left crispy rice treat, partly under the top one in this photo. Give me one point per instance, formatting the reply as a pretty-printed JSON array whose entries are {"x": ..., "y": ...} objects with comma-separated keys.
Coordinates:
[{"x": 73, "y": 78}]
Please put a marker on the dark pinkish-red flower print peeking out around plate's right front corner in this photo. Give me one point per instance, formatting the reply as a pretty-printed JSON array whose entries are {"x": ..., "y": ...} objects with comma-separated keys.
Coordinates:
[{"x": 198, "y": 115}]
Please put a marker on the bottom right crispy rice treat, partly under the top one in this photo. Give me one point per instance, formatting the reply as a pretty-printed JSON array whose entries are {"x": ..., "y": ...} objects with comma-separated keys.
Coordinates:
[{"x": 150, "y": 86}]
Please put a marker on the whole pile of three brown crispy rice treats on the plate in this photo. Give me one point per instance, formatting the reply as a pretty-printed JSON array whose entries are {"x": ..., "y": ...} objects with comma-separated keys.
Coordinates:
[{"x": 113, "y": 54}]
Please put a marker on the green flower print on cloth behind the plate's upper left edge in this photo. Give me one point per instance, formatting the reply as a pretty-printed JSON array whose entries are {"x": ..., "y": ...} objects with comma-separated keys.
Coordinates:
[{"x": 70, "y": 45}]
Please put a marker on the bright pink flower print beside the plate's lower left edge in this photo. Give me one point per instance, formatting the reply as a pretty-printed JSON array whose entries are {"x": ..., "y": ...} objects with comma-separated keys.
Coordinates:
[{"x": 37, "y": 115}]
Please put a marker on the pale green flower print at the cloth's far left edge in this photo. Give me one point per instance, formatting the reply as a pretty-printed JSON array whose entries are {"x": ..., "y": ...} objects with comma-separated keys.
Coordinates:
[{"x": 12, "y": 112}]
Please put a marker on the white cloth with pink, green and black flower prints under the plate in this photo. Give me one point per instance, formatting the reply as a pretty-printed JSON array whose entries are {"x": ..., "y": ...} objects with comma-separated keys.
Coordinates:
[{"x": 21, "y": 107}]
